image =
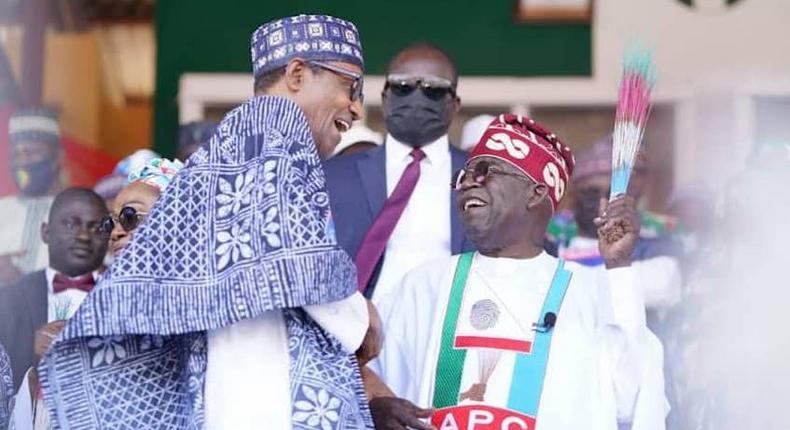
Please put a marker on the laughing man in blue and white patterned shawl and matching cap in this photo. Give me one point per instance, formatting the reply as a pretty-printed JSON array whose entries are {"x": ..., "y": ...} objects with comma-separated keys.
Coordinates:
[{"x": 233, "y": 306}]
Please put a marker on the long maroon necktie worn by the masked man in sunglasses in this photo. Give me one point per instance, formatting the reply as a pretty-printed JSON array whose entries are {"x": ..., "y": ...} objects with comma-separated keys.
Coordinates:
[{"x": 375, "y": 241}]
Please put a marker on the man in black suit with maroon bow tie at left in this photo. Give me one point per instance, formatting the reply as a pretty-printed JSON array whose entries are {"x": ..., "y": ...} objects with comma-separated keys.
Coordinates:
[{"x": 32, "y": 310}]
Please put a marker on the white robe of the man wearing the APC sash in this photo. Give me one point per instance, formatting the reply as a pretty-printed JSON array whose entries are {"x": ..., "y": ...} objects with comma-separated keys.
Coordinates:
[{"x": 600, "y": 350}]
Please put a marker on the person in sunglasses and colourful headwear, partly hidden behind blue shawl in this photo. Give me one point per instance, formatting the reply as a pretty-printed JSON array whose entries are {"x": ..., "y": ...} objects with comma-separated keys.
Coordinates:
[{"x": 136, "y": 200}]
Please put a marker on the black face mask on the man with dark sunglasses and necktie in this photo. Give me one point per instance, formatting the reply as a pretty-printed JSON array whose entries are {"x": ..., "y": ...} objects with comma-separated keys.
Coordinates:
[{"x": 415, "y": 119}]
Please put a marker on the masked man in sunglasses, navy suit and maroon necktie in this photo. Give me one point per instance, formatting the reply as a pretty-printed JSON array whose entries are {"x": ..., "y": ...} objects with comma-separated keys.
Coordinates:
[{"x": 393, "y": 205}]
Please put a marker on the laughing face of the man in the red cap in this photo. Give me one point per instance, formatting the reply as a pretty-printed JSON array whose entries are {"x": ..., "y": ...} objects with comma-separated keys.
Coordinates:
[{"x": 502, "y": 208}]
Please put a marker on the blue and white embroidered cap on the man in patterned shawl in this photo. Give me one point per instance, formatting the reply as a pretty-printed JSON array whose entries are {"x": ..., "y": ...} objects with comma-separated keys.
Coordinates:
[{"x": 312, "y": 37}]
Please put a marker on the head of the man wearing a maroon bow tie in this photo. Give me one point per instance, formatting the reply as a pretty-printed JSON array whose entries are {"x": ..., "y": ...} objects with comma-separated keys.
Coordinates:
[{"x": 76, "y": 243}]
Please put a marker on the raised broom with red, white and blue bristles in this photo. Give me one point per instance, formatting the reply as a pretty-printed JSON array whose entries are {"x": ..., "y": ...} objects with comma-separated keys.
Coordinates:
[{"x": 633, "y": 110}]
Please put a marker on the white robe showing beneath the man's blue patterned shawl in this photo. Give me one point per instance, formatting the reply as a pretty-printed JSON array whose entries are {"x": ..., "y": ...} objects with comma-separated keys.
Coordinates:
[{"x": 247, "y": 382}]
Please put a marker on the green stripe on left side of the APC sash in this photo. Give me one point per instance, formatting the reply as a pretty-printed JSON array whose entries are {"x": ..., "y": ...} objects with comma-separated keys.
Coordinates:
[{"x": 450, "y": 364}]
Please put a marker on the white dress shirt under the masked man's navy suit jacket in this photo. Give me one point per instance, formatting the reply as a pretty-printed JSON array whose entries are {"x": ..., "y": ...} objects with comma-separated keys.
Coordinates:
[{"x": 423, "y": 232}]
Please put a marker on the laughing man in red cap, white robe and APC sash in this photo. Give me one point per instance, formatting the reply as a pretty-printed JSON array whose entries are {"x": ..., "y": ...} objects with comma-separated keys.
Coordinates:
[{"x": 510, "y": 337}]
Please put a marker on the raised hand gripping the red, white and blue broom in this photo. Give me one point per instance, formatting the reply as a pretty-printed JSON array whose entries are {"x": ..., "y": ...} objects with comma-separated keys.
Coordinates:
[{"x": 618, "y": 230}]
